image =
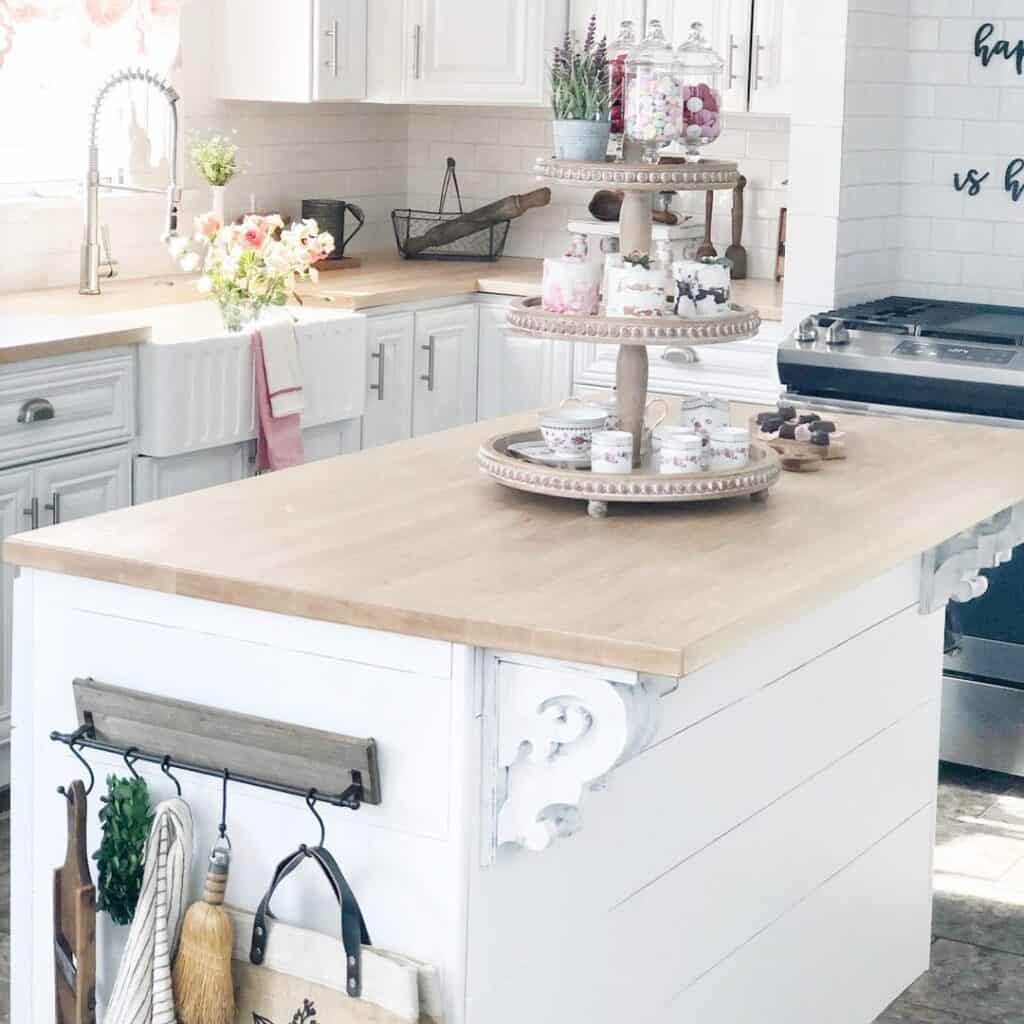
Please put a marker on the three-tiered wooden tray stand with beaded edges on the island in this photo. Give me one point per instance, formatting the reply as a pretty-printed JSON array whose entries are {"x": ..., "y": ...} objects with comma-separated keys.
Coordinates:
[{"x": 633, "y": 336}]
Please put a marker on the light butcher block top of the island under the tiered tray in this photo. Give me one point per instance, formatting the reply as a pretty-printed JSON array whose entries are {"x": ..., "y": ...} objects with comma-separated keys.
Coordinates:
[{"x": 410, "y": 538}]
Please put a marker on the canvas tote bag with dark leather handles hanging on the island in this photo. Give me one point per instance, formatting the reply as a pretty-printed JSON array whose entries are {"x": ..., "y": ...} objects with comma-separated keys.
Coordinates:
[{"x": 289, "y": 975}]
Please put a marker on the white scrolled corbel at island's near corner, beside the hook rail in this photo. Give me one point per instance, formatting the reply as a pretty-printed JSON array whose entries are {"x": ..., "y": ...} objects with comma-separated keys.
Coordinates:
[{"x": 552, "y": 733}]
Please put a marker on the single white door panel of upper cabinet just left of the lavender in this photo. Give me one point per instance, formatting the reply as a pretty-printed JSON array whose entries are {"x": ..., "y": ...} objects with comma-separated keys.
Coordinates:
[{"x": 494, "y": 53}]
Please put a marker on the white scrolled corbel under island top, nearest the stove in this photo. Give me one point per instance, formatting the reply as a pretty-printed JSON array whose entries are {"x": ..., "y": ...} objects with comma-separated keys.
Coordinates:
[{"x": 953, "y": 571}]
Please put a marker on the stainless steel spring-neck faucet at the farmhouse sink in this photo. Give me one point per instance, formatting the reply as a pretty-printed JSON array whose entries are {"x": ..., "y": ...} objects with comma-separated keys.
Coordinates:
[{"x": 93, "y": 268}]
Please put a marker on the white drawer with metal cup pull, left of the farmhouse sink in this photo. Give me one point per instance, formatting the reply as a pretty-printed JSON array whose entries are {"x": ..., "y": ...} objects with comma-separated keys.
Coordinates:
[{"x": 90, "y": 402}]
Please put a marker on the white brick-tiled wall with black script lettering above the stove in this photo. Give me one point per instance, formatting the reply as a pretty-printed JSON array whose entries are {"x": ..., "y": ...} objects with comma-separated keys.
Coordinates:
[{"x": 920, "y": 108}]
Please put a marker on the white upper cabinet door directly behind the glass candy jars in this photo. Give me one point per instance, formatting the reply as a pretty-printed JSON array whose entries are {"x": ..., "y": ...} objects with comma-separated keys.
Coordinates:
[{"x": 728, "y": 27}]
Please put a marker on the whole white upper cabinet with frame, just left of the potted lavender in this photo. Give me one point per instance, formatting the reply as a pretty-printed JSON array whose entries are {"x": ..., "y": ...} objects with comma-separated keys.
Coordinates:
[{"x": 462, "y": 52}]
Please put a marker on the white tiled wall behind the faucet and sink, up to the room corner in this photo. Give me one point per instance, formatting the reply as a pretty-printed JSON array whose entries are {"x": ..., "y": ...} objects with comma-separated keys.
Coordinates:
[{"x": 354, "y": 152}]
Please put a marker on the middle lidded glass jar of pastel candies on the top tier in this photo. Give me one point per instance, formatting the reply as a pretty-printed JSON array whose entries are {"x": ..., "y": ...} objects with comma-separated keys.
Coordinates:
[{"x": 654, "y": 98}]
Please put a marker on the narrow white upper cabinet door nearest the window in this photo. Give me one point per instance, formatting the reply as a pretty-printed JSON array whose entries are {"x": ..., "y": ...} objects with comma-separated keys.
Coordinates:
[{"x": 339, "y": 50}]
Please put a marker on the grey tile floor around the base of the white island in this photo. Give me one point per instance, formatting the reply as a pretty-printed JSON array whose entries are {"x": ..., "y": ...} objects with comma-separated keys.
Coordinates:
[{"x": 977, "y": 974}]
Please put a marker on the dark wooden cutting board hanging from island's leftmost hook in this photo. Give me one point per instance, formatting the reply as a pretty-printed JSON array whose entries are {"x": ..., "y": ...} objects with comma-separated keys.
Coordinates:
[{"x": 75, "y": 921}]
